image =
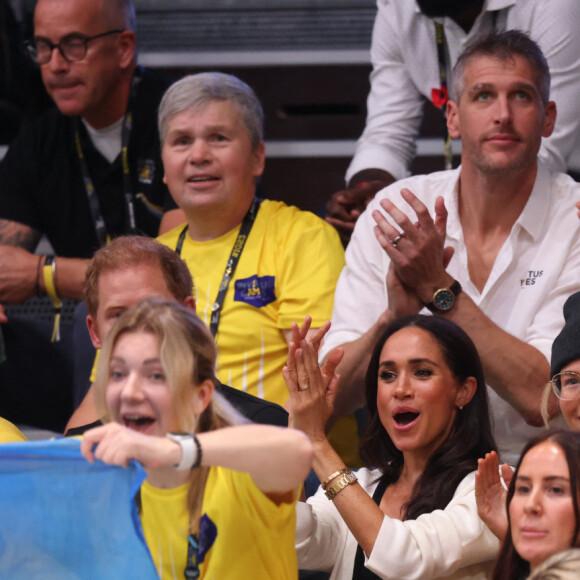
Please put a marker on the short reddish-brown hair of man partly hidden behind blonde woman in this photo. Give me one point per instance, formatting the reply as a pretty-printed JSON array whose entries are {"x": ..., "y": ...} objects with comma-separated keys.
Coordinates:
[{"x": 127, "y": 251}]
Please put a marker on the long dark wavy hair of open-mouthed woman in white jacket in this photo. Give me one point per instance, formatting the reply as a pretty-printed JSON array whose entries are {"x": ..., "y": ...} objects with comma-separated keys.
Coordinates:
[{"x": 469, "y": 439}]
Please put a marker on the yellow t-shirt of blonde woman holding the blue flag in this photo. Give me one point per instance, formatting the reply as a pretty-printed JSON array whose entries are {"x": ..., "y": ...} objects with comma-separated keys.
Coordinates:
[{"x": 243, "y": 533}]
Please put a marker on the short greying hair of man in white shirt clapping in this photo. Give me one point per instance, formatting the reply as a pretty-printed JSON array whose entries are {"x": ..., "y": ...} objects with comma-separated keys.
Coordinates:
[{"x": 504, "y": 46}]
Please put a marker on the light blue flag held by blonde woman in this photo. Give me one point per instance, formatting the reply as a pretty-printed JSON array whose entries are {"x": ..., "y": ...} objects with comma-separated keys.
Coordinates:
[{"x": 64, "y": 518}]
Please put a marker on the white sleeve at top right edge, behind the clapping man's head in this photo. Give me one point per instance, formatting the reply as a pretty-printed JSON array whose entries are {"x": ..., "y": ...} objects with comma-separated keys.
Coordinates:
[{"x": 553, "y": 25}]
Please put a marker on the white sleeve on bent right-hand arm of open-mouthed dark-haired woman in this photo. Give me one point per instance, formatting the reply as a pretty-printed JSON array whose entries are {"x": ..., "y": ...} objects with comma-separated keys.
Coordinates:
[{"x": 435, "y": 544}]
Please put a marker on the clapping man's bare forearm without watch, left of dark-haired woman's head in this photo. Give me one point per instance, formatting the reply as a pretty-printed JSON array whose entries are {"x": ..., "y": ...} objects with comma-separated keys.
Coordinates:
[{"x": 353, "y": 368}]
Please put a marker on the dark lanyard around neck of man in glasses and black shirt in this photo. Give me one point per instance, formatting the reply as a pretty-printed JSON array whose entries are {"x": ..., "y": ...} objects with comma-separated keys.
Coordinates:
[{"x": 94, "y": 206}]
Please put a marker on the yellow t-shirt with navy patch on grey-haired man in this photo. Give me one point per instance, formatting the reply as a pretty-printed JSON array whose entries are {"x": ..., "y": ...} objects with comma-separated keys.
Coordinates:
[{"x": 288, "y": 269}]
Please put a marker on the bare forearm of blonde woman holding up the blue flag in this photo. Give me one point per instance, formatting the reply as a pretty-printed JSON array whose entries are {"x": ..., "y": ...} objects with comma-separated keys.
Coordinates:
[{"x": 278, "y": 459}]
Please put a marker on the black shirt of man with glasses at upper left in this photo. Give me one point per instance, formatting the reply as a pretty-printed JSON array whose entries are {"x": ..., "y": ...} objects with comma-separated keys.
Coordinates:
[{"x": 41, "y": 183}]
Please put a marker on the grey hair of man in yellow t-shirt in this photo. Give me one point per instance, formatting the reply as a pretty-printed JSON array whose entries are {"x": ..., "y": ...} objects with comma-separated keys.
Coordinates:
[{"x": 195, "y": 91}]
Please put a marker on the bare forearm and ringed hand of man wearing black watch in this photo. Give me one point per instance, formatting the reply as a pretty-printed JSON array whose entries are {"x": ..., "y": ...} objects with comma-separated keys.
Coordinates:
[{"x": 516, "y": 370}]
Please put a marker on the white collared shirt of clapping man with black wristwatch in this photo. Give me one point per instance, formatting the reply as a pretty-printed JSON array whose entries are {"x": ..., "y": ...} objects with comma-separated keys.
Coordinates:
[{"x": 537, "y": 268}]
